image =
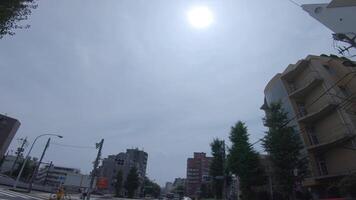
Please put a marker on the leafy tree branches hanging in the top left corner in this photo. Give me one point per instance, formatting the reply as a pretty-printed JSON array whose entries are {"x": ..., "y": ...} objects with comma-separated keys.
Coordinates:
[{"x": 13, "y": 11}]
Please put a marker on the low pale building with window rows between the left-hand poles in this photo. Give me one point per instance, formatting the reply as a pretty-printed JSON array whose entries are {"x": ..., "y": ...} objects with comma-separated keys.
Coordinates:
[{"x": 55, "y": 175}]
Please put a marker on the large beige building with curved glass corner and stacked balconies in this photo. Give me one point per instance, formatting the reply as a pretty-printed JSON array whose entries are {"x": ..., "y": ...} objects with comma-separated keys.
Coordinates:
[{"x": 319, "y": 95}]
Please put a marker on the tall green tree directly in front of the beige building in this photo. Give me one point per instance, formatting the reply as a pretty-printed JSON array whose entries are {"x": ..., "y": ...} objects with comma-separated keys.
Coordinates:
[{"x": 283, "y": 145}]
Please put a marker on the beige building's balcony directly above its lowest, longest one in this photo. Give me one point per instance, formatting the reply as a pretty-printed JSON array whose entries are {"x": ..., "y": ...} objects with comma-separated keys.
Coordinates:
[{"x": 308, "y": 118}]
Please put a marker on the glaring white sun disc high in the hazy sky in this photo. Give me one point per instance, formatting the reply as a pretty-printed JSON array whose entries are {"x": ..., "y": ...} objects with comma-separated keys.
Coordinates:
[{"x": 200, "y": 17}]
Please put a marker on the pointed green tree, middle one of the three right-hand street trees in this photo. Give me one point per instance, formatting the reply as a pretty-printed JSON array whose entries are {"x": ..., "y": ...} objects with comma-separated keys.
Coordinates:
[{"x": 244, "y": 162}]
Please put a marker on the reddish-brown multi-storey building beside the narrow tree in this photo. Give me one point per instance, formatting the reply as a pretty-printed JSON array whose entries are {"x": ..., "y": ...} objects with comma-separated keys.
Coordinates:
[{"x": 197, "y": 173}]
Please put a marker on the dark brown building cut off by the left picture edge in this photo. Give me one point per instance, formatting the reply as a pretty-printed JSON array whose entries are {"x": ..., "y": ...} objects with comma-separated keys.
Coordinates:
[{"x": 8, "y": 129}]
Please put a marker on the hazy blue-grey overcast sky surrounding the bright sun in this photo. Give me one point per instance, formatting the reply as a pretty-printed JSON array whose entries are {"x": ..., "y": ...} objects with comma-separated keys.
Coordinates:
[{"x": 137, "y": 74}]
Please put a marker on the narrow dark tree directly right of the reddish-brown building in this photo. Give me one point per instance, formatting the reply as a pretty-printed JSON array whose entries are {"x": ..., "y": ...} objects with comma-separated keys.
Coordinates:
[{"x": 217, "y": 167}]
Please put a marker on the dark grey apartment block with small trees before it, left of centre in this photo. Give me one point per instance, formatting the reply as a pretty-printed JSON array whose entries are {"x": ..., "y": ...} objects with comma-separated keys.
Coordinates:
[{"x": 124, "y": 162}]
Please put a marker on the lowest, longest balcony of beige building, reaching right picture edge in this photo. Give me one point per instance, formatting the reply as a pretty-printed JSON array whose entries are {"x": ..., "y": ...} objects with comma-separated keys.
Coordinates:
[{"x": 337, "y": 136}]
